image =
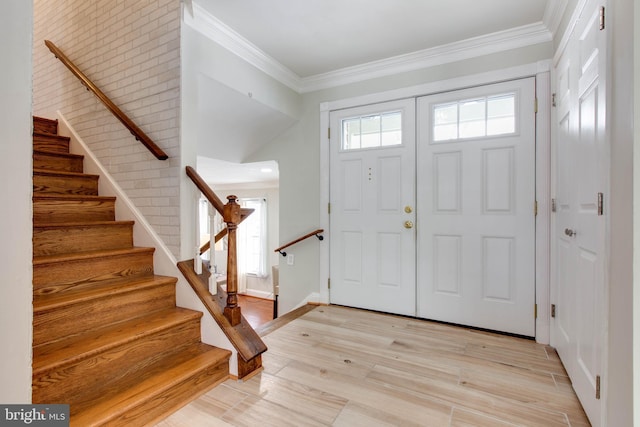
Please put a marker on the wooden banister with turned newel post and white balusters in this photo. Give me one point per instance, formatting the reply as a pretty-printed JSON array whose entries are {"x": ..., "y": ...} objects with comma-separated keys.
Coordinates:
[{"x": 232, "y": 215}]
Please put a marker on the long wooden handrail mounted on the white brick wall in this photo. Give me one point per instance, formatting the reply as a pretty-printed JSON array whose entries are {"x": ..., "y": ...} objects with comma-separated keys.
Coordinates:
[{"x": 126, "y": 121}]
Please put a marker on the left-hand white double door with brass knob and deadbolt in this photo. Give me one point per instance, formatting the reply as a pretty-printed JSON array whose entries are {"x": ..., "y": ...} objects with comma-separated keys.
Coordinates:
[{"x": 372, "y": 194}]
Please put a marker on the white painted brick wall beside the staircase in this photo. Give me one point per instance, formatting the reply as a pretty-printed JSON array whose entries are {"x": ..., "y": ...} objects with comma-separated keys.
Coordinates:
[{"x": 131, "y": 51}]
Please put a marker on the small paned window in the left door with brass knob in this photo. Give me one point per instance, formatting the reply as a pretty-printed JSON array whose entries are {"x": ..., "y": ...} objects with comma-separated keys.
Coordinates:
[{"x": 372, "y": 131}]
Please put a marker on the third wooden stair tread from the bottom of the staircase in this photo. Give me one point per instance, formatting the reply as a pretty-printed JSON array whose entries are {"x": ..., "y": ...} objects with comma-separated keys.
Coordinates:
[{"x": 46, "y": 302}]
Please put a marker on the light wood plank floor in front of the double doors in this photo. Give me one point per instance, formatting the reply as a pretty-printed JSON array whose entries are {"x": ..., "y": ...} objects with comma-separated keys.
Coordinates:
[{"x": 347, "y": 367}]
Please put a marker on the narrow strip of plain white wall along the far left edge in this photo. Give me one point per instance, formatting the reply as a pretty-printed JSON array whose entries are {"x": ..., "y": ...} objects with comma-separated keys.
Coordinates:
[{"x": 16, "y": 26}]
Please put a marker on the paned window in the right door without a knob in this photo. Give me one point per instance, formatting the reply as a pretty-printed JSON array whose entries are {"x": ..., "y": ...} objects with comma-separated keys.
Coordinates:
[{"x": 475, "y": 118}]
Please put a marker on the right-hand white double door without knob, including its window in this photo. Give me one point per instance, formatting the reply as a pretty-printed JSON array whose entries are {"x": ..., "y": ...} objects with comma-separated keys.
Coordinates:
[{"x": 476, "y": 207}]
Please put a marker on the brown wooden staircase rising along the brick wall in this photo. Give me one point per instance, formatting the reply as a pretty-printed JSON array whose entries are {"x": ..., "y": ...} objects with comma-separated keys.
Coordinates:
[{"x": 108, "y": 338}]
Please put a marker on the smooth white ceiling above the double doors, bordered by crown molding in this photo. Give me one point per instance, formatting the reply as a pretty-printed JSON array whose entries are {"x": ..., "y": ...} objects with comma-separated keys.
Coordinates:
[{"x": 313, "y": 37}]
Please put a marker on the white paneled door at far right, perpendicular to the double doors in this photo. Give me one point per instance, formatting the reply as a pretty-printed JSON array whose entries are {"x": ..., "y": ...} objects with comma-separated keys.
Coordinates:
[{"x": 579, "y": 232}]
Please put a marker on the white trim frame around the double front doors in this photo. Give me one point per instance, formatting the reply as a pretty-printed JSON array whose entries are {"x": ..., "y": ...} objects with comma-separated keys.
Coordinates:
[{"x": 541, "y": 71}]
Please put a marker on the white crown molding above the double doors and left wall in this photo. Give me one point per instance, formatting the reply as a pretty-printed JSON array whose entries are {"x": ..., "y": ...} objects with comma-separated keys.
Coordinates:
[{"x": 514, "y": 38}]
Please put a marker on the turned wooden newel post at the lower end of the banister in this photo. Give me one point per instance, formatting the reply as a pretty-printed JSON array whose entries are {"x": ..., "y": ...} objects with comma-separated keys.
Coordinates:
[{"x": 231, "y": 215}]
